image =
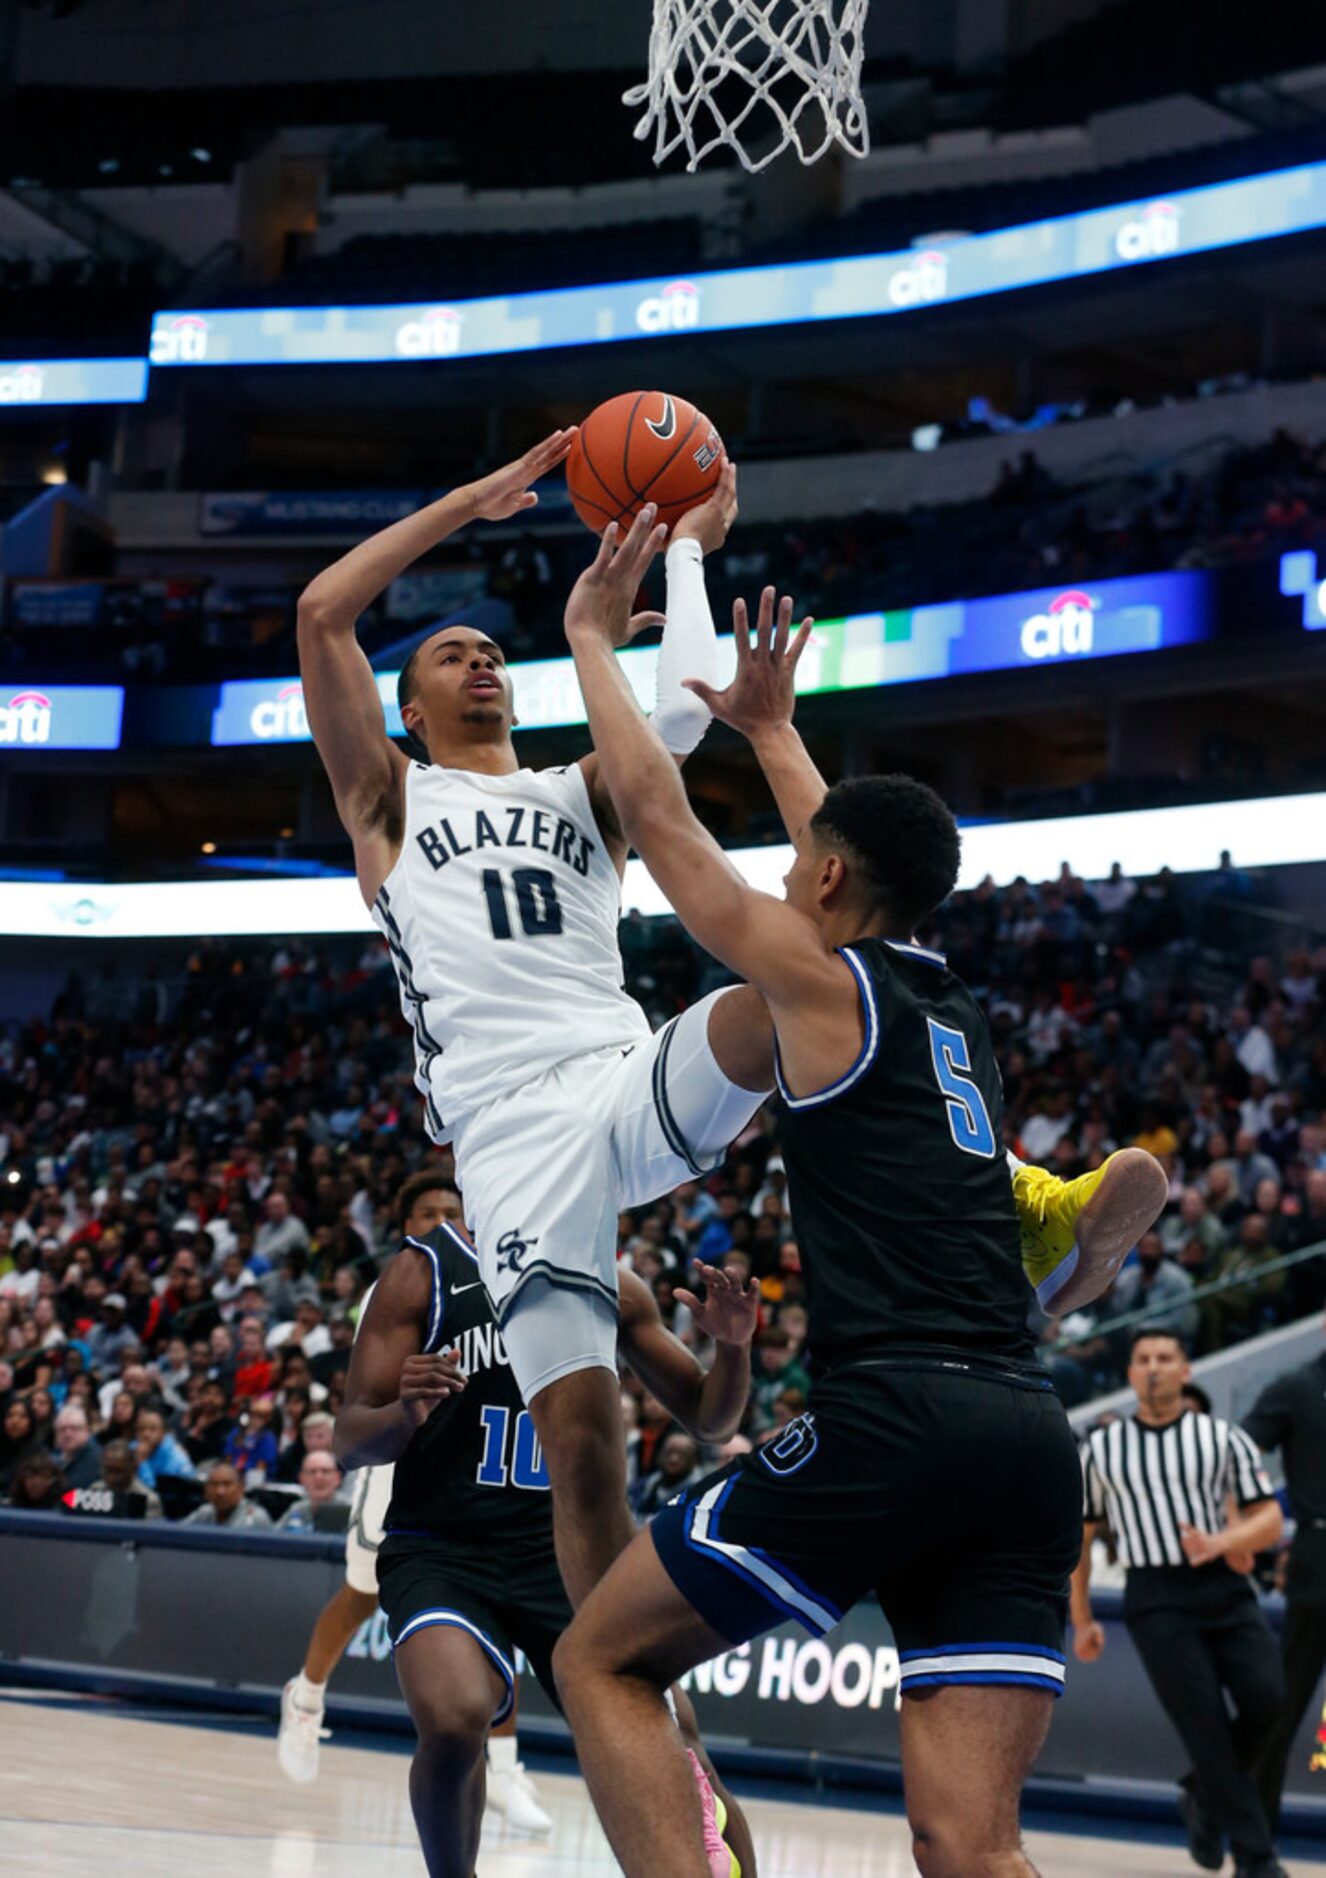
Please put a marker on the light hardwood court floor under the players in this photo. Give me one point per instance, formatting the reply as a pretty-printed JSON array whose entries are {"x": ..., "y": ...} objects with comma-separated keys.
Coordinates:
[{"x": 91, "y": 1789}]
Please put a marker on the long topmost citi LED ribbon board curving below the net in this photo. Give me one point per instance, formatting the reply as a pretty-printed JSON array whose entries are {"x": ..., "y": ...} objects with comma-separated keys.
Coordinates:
[{"x": 1226, "y": 215}]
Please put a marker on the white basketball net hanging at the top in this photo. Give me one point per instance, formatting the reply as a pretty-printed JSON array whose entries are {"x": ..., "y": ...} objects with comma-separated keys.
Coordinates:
[{"x": 790, "y": 69}]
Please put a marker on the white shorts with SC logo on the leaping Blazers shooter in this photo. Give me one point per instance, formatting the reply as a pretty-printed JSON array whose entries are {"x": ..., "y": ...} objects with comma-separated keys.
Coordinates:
[{"x": 546, "y": 1173}]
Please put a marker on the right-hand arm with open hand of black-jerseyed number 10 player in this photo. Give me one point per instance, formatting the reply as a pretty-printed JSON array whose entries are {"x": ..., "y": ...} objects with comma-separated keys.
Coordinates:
[{"x": 711, "y": 1402}]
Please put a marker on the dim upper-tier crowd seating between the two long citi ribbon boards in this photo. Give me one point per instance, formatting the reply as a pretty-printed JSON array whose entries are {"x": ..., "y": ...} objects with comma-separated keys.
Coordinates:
[{"x": 1026, "y": 532}]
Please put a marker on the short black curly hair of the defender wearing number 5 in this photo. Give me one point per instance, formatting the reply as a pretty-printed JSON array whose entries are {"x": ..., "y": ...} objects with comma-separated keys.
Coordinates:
[{"x": 901, "y": 839}]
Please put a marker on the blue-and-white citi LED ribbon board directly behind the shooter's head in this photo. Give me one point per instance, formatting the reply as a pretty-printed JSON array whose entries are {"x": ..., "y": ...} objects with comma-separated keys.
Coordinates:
[{"x": 1049, "y": 626}]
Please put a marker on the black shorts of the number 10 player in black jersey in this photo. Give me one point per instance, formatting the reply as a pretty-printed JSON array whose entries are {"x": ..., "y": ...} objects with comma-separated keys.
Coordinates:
[{"x": 506, "y": 1599}]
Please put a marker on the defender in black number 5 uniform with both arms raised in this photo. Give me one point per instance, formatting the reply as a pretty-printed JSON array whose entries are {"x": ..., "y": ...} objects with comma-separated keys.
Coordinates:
[{"x": 936, "y": 1464}]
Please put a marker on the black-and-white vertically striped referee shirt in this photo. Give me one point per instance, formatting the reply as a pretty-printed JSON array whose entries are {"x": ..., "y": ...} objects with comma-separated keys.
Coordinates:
[{"x": 1147, "y": 1483}]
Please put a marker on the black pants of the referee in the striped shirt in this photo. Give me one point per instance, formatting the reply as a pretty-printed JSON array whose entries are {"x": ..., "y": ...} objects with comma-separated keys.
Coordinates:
[{"x": 1195, "y": 1655}]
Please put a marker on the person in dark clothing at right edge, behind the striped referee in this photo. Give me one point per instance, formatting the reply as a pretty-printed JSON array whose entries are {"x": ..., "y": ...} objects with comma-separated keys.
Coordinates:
[{"x": 1291, "y": 1415}]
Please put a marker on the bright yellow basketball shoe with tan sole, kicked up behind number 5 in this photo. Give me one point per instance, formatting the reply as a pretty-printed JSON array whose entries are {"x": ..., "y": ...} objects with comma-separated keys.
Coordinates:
[{"x": 1077, "y": 1233}]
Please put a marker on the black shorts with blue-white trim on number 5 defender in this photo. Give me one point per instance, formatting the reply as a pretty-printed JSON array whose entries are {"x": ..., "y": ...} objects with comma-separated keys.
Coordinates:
[{"x": 948, "y": 1490}]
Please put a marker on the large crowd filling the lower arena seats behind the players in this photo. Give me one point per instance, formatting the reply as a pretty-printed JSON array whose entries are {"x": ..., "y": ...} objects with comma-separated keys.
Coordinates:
[{"x": 198, "y": 1184}]
